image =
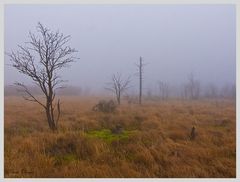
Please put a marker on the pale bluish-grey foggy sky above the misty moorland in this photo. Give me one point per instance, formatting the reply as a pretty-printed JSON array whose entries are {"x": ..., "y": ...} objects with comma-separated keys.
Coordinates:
[{"x": 174, "y": 41}]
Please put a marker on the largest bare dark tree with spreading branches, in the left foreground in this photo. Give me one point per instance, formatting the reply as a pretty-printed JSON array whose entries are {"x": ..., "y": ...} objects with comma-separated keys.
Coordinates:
[{"x": 41, "y": 59}]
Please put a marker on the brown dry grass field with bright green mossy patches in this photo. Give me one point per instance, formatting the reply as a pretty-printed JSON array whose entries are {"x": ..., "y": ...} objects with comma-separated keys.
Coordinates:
[{"x": 155, "y": 141}]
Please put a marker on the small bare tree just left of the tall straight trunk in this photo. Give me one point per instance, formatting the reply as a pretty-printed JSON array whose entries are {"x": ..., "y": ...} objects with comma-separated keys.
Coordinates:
[{"x": 118, "y": 86}]
